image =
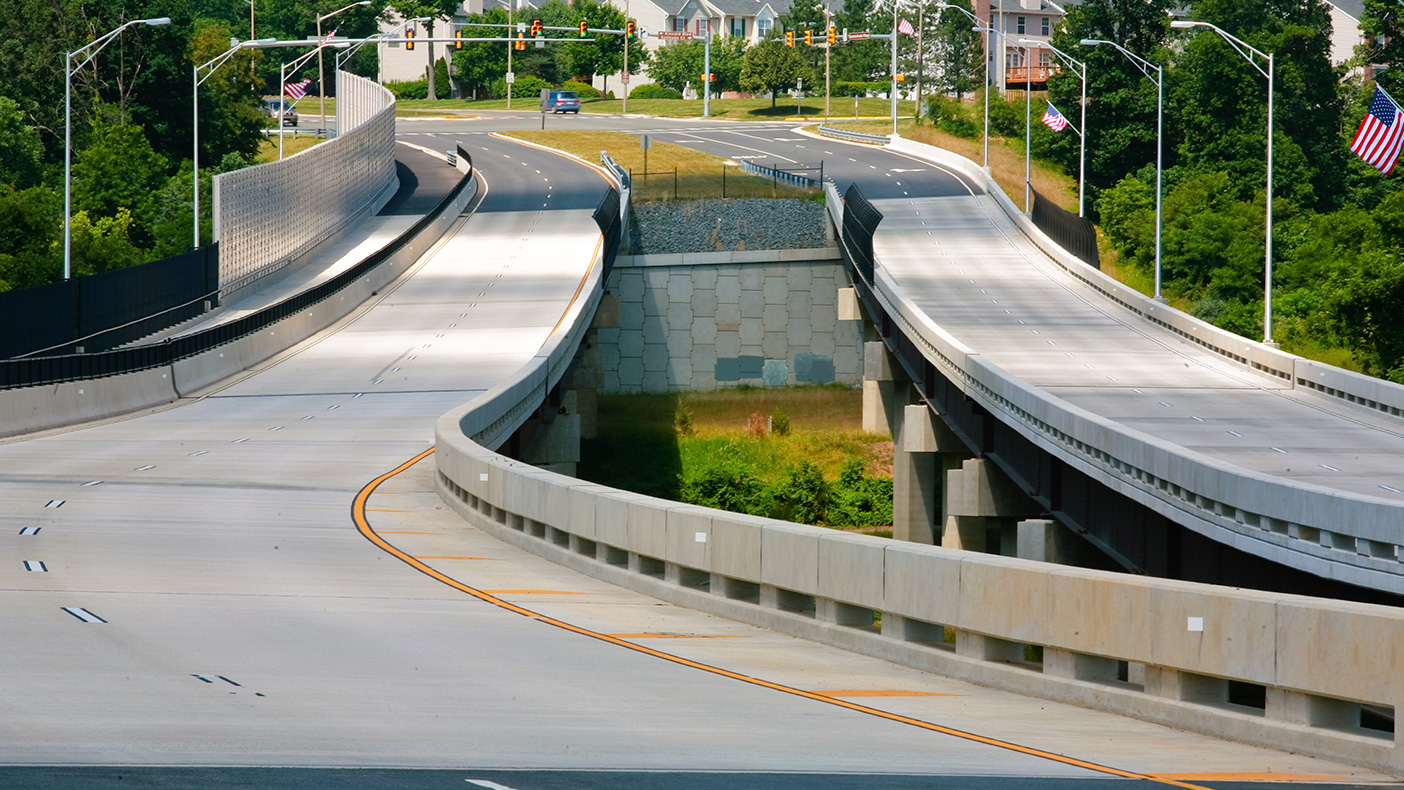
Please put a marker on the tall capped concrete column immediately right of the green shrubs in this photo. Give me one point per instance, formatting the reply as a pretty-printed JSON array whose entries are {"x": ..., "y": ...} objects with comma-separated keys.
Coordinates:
[{"x": 925, "y": 450}]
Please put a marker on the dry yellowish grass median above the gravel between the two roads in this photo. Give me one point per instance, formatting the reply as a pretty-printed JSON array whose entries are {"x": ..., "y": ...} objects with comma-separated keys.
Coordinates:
[{"x": 698, "y": 175}]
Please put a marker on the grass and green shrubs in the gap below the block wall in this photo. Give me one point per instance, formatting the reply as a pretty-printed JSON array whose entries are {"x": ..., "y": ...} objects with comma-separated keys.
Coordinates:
[{"x": 793, "y": 454}]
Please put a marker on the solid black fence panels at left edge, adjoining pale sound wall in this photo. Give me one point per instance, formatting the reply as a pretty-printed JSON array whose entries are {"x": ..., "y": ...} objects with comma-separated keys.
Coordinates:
[{"x": 109, "y": 309}]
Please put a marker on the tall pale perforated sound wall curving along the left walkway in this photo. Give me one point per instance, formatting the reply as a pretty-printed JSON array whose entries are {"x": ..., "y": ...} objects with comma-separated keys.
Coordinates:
[{"x": 269, "y": 215}]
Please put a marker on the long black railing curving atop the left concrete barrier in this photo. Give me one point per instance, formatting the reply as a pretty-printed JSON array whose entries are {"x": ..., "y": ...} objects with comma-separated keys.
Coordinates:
[{"x": 39, "y": 371}]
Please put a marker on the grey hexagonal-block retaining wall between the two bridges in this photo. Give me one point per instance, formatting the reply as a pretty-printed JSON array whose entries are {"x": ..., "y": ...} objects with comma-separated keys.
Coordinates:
[{"x": 703, "y": 322}]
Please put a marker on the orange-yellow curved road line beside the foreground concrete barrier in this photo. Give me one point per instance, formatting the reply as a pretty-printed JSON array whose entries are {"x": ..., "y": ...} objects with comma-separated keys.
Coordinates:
[{"x": 364, "y": 527}]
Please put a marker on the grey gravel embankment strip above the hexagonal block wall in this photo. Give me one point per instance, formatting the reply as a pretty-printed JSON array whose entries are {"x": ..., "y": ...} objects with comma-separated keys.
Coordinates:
[{"x": 721, "y": 227}]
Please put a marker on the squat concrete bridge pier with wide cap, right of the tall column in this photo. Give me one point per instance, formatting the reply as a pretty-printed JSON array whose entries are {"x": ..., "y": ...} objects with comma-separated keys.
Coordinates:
[{"x": 984, "y": 509}]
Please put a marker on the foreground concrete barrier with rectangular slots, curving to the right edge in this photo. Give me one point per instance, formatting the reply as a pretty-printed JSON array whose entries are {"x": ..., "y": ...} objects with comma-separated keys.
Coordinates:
[{"x": 1159, "y": 650}]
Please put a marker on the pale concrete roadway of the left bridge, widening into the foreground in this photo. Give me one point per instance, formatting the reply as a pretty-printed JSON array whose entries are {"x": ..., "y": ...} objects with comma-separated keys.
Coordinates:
[{"x": 187, "y": 589}]
